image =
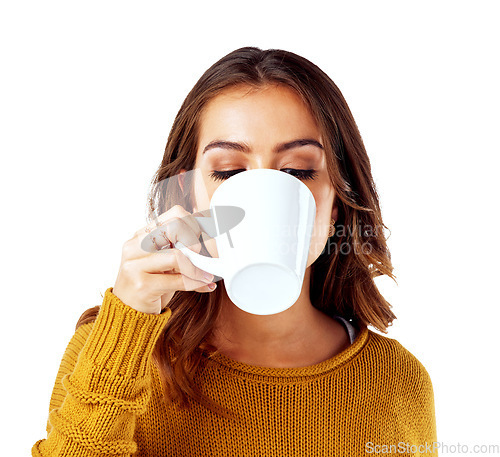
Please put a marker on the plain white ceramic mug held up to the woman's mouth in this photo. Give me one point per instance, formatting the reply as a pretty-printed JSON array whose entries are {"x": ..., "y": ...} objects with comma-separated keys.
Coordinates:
[{"x": 262, "y": 221}]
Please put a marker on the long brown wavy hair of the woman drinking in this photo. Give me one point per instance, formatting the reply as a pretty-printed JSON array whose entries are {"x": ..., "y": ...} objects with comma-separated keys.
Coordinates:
[{"x": 342, "y": 276}]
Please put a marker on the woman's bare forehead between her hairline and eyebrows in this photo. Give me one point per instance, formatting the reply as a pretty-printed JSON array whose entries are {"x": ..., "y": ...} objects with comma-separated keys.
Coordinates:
[{"x": 247, "y": 110}]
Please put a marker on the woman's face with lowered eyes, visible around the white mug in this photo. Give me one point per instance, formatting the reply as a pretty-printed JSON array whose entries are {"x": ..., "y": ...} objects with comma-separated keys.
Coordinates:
[{"x": 261, "y": 120}]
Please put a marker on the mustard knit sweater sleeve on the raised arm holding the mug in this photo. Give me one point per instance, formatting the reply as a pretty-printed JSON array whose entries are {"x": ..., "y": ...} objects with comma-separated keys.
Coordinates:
[{"x": 103, "y": 383}]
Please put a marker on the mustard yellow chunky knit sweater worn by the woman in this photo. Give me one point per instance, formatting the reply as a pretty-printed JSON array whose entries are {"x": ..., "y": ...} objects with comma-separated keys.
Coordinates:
[{"x": 107, "y": 400}]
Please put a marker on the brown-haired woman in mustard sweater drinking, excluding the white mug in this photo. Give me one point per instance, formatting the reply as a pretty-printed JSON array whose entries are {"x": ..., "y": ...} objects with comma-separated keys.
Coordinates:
[{"x": 168, "y": 365}]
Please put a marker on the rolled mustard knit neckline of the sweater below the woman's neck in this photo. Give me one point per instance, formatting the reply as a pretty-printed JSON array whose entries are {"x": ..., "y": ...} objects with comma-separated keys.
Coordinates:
[{"x": 320, "y": 368}]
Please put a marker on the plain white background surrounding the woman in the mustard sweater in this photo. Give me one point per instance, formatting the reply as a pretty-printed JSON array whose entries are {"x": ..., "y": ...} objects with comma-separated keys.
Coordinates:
[{"x": 89, "y": 91}]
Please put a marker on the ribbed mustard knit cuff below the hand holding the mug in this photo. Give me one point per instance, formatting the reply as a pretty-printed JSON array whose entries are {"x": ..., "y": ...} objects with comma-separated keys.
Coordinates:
[{"x": 122, "y": 339}]
